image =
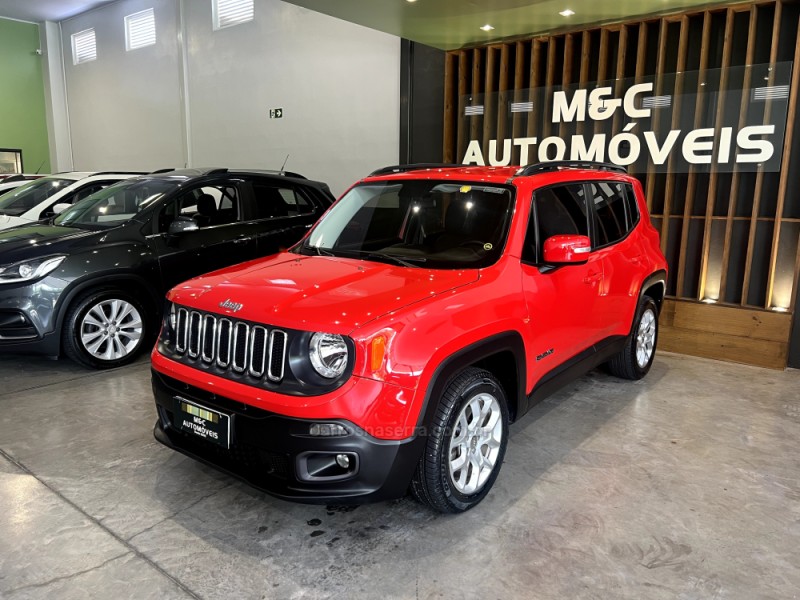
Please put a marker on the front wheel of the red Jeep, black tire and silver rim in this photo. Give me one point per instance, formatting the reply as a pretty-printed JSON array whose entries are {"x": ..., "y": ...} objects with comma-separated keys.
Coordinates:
[{"x": 433, "y": 482}]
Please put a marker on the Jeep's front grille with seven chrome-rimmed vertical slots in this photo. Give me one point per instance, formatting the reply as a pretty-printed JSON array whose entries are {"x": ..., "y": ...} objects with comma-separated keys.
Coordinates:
[{"x": 229, "y": 345}]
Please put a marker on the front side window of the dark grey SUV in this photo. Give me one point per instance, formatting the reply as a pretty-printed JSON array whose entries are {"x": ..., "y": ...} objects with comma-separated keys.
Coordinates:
[{"x": 207, "y": 206}]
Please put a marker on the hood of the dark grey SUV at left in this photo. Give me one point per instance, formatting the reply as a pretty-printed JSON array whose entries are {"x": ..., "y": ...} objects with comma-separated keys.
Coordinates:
[{"x": 31, "y": 241}]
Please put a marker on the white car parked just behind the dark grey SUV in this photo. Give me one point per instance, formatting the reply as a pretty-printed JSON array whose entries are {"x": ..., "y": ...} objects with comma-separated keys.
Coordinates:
[{"x": 48, "y": 196}]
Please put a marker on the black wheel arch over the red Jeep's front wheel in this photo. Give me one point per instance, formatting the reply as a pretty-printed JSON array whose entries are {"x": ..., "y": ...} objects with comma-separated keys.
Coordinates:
[{"x": 502, "y": 354}]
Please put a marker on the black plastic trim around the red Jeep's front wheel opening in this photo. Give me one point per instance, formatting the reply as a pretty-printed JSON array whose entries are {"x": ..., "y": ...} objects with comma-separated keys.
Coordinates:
[{"x": 507, "y": 341}]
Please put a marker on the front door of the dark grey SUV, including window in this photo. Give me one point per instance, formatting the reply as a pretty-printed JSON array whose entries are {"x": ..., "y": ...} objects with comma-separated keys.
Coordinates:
[{"x": 214, "y": 235}]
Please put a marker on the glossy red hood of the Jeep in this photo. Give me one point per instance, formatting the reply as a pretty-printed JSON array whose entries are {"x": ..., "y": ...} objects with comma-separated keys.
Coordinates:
[{"x": 315, "y": 293}]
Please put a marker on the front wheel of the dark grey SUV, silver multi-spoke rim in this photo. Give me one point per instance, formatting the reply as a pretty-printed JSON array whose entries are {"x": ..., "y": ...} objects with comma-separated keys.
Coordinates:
[{"x": 117, "y": 344}]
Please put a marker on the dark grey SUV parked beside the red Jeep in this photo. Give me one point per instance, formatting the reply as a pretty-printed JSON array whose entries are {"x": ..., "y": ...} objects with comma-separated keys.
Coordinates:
[{"x": 90, "y": 282}]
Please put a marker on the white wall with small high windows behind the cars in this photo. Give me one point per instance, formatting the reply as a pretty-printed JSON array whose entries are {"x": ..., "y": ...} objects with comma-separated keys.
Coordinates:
[{"x": 338, "y": 85}]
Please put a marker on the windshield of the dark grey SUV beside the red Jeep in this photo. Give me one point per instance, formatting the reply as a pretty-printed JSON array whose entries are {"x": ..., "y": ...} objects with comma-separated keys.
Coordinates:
[{"x": 115, "y": 204}]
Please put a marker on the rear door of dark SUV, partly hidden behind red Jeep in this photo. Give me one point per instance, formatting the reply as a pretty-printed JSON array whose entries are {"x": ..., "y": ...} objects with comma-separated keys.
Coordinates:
[{"x": 282, "y": 212}]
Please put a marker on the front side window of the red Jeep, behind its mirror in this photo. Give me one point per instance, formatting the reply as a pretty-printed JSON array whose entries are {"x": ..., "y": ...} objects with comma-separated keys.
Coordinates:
[{"x": 557, "y": 210}]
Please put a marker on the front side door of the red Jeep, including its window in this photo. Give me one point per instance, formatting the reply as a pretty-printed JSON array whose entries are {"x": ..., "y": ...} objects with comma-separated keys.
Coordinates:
[{"x": 561, "y": 299}]
